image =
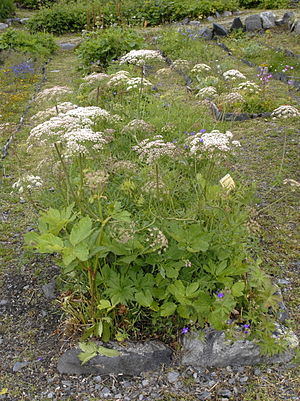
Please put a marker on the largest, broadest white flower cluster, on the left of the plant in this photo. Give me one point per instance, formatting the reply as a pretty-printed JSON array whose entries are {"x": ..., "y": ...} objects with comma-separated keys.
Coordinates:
[{"x": 73, "y": 128}]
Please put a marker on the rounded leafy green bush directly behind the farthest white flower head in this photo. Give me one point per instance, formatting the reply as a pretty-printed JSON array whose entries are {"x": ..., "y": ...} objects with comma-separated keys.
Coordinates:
[{"x": 104, "y": 46}]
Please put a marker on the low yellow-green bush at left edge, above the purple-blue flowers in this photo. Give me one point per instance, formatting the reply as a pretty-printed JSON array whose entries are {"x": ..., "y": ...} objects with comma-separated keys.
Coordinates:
[{"x": 40, "y": 44}]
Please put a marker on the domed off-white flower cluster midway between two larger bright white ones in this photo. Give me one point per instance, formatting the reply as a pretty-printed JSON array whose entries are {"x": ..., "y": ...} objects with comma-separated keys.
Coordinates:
[{"x": 150, "y": 150}]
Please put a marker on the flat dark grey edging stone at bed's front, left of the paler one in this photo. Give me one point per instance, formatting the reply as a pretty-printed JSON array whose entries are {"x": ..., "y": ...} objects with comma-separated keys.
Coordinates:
[{"x": 134, "y": 359}]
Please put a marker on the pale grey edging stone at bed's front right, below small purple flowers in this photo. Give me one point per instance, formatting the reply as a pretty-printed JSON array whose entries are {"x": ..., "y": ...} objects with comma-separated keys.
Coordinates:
[{"x": 216, "y": 351}]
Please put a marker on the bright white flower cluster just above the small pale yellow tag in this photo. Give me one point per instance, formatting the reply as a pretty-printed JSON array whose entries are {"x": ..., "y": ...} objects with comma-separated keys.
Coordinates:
[{"x": 211, "y": 141}]
